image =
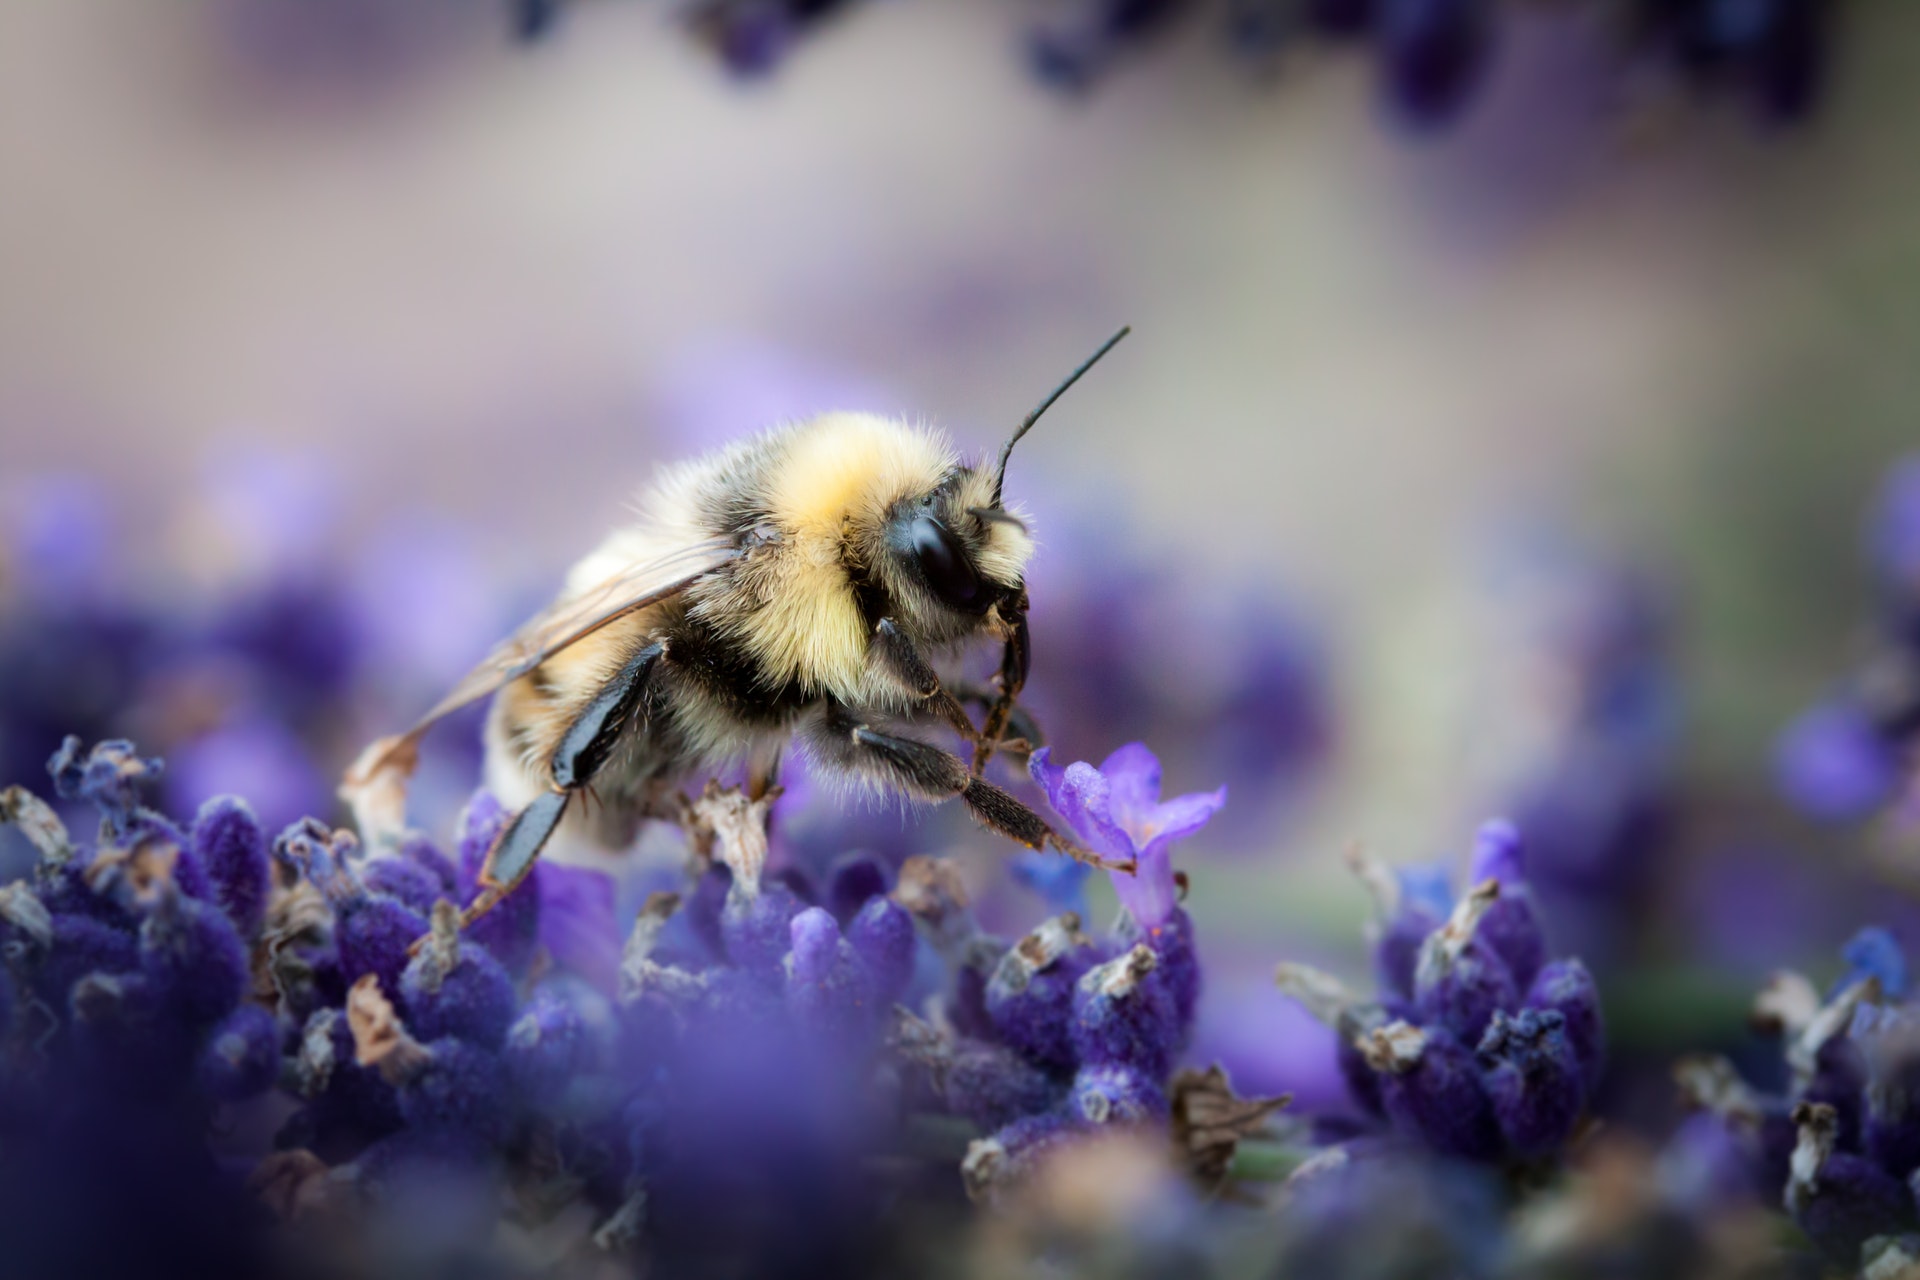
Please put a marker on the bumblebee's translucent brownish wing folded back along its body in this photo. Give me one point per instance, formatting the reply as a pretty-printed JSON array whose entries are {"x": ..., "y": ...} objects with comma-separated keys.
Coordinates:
[{"x": 539, "y": 640}]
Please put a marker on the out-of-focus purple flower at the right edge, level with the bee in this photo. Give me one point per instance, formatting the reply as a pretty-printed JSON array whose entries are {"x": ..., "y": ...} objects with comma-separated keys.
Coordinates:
[{"x": 1850, "y": 755}]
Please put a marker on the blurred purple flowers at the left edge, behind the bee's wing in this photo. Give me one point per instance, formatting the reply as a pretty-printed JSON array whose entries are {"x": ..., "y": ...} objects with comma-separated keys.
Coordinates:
[{"x": 252, "y": 648}]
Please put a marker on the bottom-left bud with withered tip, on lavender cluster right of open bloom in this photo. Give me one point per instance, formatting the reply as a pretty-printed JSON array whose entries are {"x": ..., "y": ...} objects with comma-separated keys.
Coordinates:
[{"x": 1431, "y": 1089}]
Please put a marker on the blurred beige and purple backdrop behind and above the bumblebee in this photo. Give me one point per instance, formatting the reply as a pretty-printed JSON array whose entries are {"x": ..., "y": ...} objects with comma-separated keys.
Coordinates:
[{"x": 1510, "y": 469}]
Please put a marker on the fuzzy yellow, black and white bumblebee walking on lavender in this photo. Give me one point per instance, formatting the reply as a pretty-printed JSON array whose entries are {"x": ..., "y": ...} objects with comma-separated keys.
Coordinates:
[{"x": 794, "y": 588}]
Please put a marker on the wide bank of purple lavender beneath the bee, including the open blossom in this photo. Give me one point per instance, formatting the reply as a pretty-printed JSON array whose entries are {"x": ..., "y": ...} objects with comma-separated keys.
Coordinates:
[{"x": 709, "y": 1085}]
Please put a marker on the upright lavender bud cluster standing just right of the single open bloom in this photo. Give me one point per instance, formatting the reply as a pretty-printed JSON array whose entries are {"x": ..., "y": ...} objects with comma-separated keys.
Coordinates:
[{"x": 1477, "y": 1045}]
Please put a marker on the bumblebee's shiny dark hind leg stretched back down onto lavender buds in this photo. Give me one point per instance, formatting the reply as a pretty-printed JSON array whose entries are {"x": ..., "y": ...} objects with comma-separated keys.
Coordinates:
[{"x": 585, "y": 749}]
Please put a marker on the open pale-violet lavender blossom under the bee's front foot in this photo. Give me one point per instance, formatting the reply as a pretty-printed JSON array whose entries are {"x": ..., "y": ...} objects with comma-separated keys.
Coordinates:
[{"x": 1118, "y": 813}]
